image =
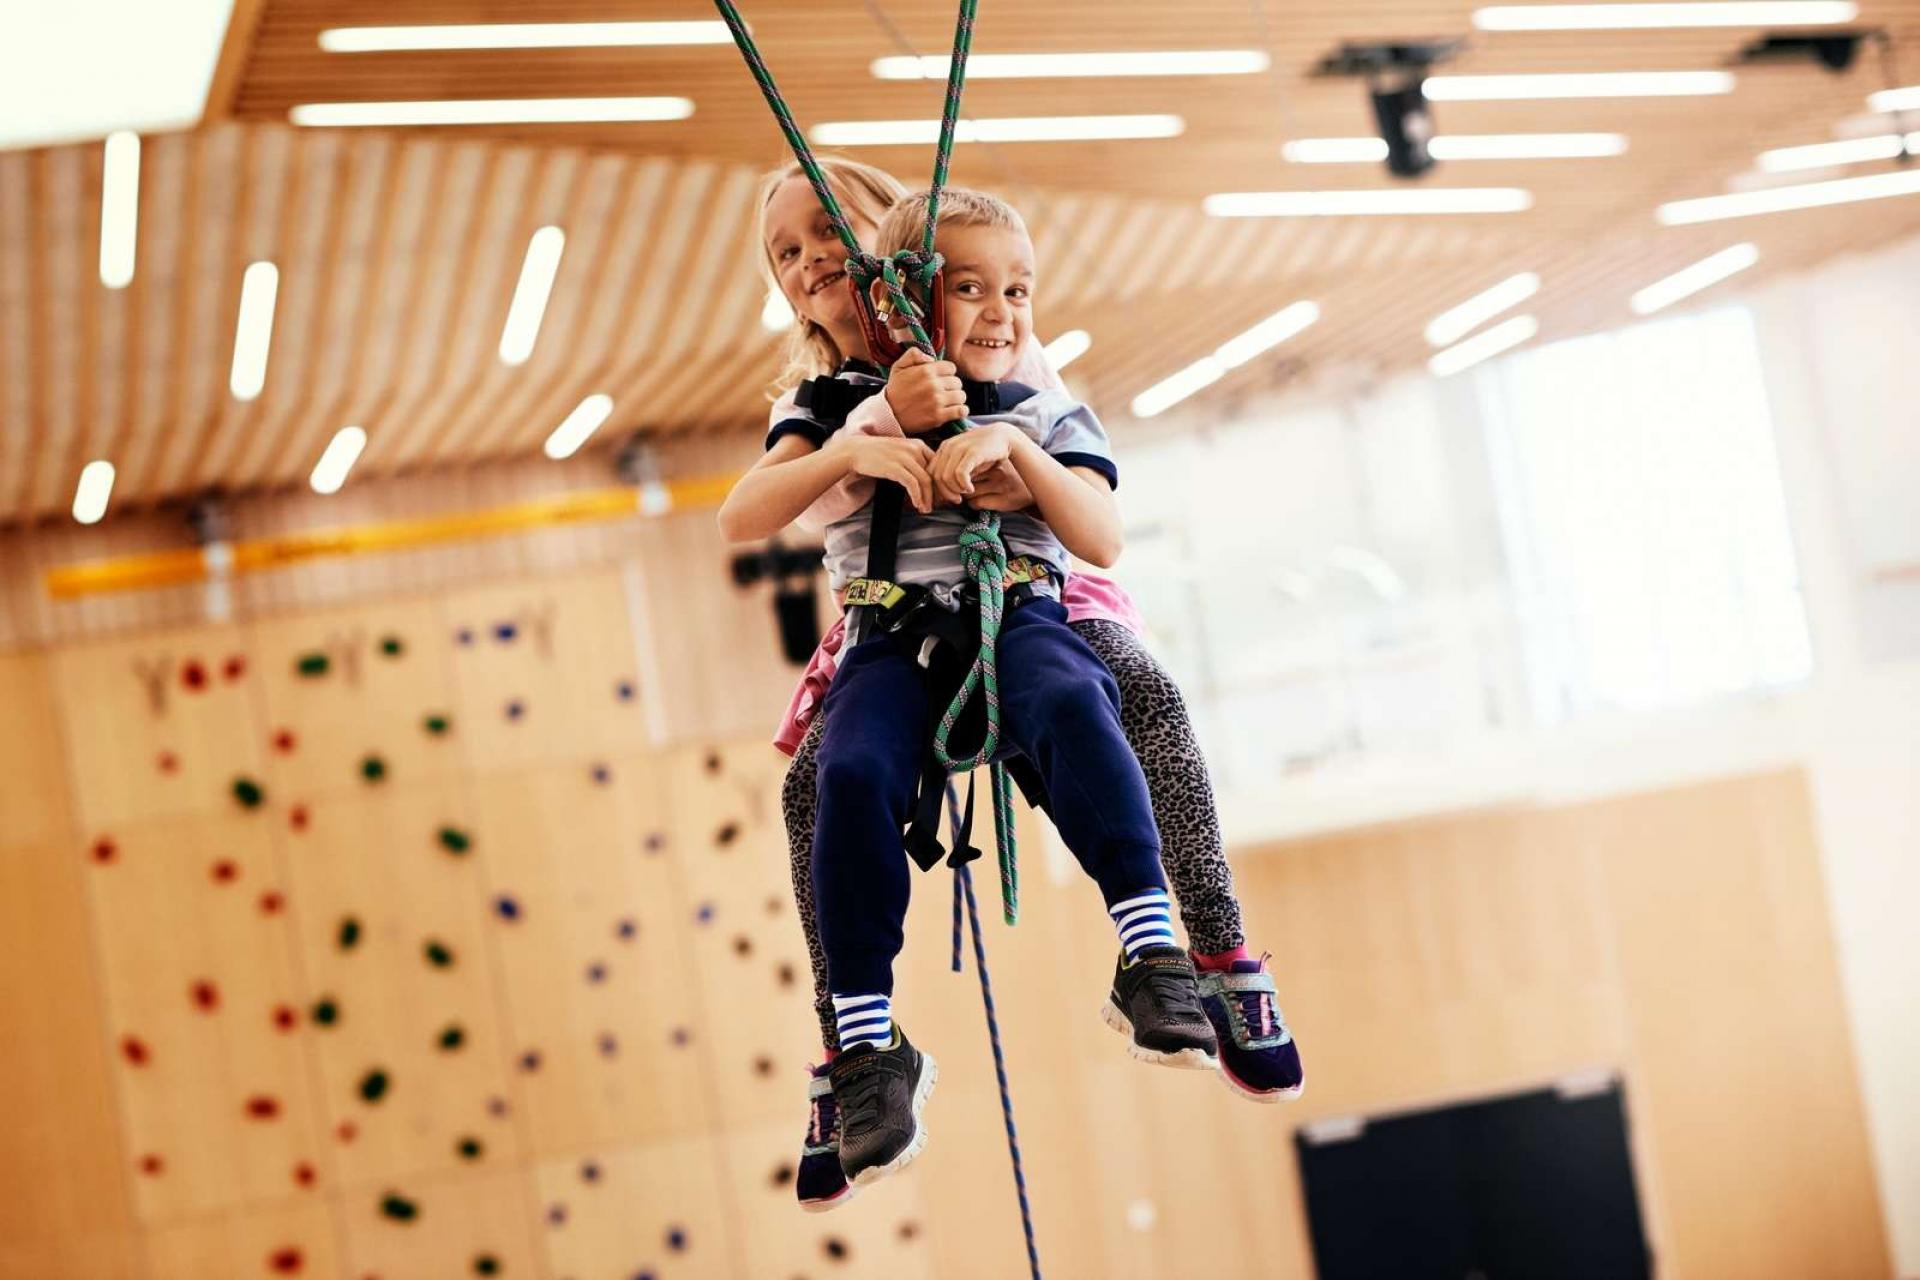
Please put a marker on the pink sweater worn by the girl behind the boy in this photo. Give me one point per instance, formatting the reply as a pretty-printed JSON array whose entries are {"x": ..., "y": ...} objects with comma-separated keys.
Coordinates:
[{"x": 1086, "y": 594}]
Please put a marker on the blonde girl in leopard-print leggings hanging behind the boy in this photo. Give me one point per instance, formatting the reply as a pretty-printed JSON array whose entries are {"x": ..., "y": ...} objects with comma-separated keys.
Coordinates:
[{"x": 805, "y": 262}]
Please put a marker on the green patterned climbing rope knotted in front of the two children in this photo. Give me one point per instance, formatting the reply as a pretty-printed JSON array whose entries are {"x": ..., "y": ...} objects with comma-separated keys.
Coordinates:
[{"x": 982, "y": 548}]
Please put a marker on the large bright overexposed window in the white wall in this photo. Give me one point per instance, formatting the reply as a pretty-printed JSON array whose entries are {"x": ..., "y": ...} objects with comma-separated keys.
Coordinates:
[{"x": 1643, "y": 517}]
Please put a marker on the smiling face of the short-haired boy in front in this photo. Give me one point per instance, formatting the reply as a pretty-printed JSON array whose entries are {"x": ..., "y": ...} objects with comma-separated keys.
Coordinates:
[{"x": 990, "y": 298}]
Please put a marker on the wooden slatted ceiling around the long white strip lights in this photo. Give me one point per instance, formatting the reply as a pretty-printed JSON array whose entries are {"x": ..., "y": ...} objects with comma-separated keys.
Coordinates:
[{"x": 398, "y": 250}]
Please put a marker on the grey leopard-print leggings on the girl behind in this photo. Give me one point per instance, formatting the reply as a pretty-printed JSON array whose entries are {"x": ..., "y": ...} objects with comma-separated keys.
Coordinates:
[{"x": 1155, "y": 719}]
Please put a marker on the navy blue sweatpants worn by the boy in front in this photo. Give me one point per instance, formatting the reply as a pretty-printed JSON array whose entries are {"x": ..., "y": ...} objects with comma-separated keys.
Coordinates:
[{"x": 1059, "y": 707}]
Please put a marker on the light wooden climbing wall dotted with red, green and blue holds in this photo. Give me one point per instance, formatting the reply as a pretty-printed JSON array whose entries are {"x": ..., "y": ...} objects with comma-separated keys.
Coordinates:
[{"x": 420, "y": 959}]
